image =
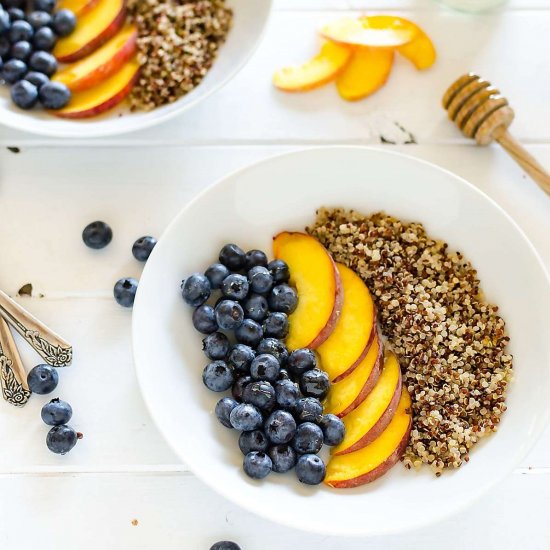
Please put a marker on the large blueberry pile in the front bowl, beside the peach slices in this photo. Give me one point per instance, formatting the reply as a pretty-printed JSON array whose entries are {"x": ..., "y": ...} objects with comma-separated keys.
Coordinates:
[{"x": 276, "y": 395}]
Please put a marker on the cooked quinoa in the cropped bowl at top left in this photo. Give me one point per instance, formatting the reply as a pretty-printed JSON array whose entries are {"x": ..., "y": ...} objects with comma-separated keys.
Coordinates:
[{"x": 178, "y": 41}]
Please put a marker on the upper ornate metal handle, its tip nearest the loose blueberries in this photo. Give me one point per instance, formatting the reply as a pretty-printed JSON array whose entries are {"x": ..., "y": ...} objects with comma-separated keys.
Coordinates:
[{"x": 50, "y": 346}]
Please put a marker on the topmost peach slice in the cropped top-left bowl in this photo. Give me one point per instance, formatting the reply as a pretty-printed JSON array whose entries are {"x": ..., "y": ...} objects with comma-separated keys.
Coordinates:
[{"x": 92, "y": 30}]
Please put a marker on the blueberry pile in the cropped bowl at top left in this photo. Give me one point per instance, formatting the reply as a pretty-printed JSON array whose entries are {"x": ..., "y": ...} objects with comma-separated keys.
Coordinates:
[{"x": 28, "y": 33}]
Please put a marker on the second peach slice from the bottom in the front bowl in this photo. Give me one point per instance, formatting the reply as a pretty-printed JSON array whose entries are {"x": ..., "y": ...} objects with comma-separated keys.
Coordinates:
[{"x": 372, "y": 416}]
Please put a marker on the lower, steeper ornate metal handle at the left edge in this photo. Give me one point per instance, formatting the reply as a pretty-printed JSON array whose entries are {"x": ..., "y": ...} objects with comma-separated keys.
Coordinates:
[{"x": 13, "y": 378}]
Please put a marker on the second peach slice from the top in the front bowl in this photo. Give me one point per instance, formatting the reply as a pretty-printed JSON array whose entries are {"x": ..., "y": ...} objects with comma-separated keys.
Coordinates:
[{"x": 349, "y": 343}]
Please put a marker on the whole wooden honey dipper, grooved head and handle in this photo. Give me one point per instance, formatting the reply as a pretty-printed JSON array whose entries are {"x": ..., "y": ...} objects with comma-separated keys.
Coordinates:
[{"x": 482, "y": 113}]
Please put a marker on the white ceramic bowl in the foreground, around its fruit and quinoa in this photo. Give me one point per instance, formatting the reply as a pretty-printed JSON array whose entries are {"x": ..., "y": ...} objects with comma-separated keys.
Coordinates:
[{"x": 282, "y": 193}]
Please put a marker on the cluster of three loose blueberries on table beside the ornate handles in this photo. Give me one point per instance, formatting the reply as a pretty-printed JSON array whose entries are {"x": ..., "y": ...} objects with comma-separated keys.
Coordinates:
[{"x": 43, "y": 379}]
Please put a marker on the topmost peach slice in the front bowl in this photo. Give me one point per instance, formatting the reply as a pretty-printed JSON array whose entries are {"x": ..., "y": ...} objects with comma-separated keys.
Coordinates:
[{"x": 317, "y": 280}]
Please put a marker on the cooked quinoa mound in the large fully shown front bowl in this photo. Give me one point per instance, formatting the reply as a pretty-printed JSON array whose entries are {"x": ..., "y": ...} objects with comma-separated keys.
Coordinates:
[{"x": 451, "y": 343}]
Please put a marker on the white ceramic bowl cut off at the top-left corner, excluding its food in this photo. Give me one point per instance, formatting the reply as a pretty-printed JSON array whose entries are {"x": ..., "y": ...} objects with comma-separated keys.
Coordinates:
[{"x": 250, "y": 20}]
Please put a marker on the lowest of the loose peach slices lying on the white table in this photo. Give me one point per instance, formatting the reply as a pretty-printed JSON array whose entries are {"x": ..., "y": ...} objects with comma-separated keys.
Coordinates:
[{"x": 367, "y": 71}]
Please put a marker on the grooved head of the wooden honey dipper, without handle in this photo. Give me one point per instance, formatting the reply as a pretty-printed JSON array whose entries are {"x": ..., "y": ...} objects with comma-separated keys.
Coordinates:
[{"x": 477, "y": 108}]
